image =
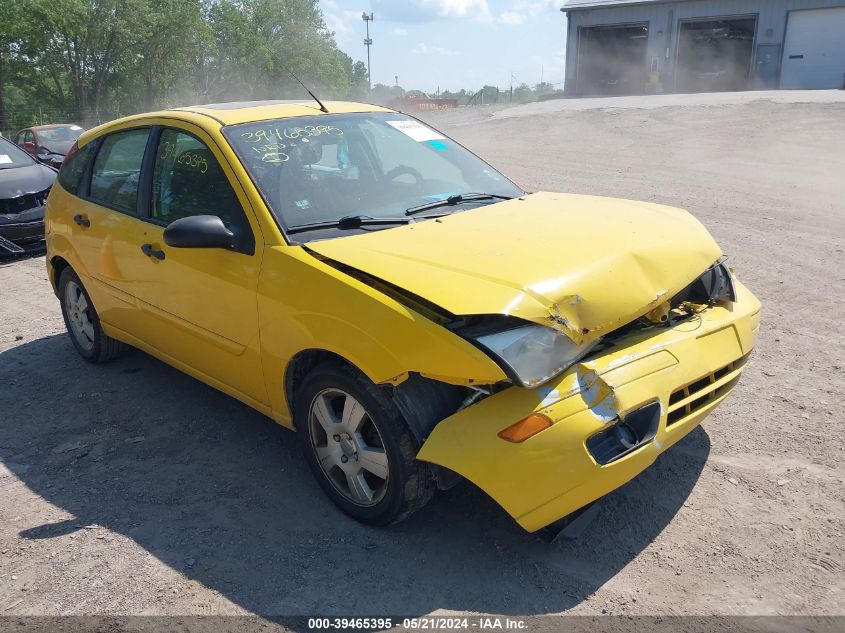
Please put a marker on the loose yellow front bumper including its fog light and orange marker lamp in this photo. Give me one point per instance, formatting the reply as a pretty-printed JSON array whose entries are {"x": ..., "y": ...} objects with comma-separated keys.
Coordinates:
[{"x": 552, "y": 450}]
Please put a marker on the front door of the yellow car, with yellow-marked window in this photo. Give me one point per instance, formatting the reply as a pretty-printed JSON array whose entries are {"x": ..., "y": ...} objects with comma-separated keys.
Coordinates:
[{"x": 200, "y": 304}]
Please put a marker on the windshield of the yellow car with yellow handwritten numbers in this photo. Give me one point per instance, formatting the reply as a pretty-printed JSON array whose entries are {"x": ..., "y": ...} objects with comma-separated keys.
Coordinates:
[{"x": 320, "y": 169}]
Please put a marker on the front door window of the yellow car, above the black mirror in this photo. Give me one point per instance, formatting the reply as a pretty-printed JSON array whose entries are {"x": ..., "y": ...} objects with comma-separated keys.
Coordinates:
[{"x": 188, "y": 180}]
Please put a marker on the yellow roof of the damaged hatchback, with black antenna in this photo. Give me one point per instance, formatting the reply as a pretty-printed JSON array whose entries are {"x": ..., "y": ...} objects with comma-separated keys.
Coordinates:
[{"x": 222, "y": 114}]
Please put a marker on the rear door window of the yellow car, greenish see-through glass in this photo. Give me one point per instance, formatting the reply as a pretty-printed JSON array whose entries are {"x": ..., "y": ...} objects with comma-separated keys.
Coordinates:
[{"x": 117, "y": 170}]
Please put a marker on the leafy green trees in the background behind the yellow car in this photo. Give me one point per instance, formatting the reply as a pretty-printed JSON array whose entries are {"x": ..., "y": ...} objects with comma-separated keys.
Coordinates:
[{"x": 87, "y": 60}]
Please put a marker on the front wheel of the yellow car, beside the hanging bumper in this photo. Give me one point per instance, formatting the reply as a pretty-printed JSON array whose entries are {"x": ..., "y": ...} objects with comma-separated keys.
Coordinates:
[{"x": 359, "y": 447}]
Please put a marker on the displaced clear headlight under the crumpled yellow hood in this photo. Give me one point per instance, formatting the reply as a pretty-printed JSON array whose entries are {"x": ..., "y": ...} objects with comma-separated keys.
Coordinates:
[{"x": 532, "y": 354}]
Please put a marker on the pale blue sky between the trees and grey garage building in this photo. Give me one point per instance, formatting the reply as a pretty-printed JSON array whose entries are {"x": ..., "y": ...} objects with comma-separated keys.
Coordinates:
[{"x": 454, "y": 44}]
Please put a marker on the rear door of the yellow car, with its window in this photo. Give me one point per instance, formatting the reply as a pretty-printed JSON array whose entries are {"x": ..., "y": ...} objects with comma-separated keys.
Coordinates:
[{"x": 105, "y": 226}]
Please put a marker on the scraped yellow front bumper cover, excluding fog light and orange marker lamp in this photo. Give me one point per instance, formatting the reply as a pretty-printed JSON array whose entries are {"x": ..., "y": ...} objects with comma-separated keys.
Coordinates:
[{"x": 688, "y": 369}]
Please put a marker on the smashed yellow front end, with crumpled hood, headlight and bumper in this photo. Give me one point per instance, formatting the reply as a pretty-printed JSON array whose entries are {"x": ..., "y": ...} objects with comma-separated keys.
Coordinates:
[{"x": 612, "y": 342}]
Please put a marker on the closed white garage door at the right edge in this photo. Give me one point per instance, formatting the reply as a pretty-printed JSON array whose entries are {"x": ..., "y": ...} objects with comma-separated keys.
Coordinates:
[{"x": 814, "y": 52}]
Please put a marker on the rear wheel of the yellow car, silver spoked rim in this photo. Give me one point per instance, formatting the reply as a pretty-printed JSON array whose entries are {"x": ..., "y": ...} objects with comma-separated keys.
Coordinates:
[{"x": 83, "y": 323}]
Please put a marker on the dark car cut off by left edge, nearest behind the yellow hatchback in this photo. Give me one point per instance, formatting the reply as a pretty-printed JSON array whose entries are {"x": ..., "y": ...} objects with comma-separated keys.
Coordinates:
[{"x": 24, "y": 185}]
